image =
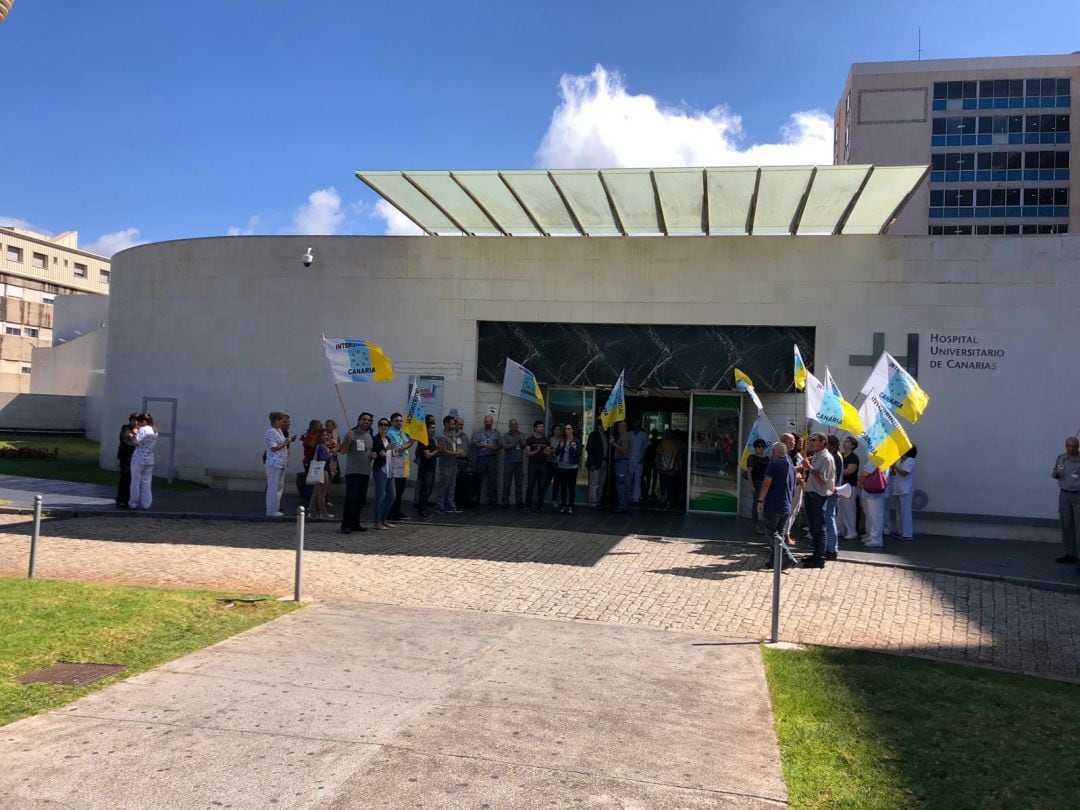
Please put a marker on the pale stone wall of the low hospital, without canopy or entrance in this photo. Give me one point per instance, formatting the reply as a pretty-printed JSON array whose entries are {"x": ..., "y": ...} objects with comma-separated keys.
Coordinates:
[{"x": 231, "y": 329}]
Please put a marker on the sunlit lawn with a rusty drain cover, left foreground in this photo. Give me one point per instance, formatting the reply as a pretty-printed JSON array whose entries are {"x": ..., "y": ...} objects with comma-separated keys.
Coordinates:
[{"x": 47, "y": 622}]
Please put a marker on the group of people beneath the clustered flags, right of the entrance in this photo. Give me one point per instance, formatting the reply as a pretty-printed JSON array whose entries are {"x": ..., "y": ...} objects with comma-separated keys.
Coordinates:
[{"x": 831, "y": 489}]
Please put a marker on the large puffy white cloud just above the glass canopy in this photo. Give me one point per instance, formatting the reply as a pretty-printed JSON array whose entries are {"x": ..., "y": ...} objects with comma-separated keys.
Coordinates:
[{"x": 600, "y": 125}]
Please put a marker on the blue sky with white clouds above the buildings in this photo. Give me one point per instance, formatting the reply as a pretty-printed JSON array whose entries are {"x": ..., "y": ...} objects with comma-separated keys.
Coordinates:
[{"x": 144, "y": 120}]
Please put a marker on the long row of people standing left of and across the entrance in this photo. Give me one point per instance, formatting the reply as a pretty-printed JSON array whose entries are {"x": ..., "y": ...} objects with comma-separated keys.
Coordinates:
[{"x": 536, "y": 467}]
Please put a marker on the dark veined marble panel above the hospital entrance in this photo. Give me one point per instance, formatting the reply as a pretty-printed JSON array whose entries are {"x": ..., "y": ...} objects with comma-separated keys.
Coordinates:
[{"x": 688, "y": 358}]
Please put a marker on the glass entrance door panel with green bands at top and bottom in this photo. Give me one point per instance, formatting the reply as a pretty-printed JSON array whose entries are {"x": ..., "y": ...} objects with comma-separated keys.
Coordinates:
[{"x": 715, "y": 427}]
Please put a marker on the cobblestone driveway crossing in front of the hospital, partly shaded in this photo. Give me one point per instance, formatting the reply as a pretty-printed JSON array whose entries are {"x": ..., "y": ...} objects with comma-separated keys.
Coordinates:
[{"x": 642, "y": 582}]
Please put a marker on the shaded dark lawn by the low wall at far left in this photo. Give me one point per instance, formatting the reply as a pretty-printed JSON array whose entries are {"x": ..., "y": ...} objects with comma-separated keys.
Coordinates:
[{"x": 78, "y": 462}]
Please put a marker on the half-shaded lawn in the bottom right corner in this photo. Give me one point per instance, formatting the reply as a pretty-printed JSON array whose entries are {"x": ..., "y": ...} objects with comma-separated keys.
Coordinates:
[{"x": 866, "y": 731}]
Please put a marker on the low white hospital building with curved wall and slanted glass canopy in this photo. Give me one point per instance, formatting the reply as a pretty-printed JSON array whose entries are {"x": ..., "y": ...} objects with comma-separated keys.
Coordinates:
[{"x": 213, "y": 334}]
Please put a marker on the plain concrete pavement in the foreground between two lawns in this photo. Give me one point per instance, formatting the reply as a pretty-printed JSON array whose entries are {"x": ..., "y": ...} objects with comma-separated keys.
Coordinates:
[{"x": 353, "y": 706}]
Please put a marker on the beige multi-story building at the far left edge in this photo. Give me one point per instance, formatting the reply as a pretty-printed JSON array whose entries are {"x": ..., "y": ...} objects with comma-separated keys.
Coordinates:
[{"x": 34, "y": 271}]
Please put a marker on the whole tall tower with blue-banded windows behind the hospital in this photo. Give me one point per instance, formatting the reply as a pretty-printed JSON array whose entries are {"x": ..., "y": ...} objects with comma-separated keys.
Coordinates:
[{"x": 996, "y": 133}]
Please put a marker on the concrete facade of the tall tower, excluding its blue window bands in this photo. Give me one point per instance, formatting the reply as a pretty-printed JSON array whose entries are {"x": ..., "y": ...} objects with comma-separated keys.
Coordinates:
[{"x": 886, "y": 115}]
